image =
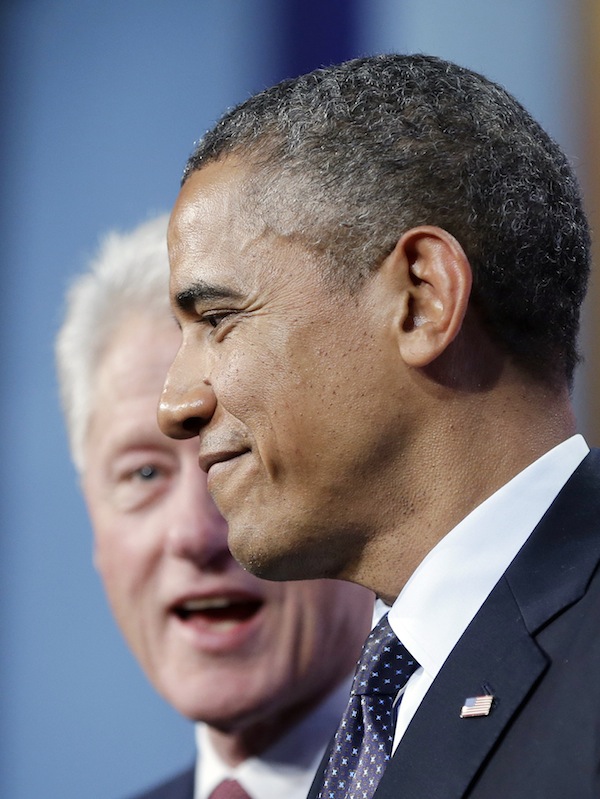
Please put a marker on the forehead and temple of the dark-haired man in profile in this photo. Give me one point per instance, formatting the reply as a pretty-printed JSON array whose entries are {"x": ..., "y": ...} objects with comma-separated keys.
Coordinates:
[{"x": 224, "y": 245}]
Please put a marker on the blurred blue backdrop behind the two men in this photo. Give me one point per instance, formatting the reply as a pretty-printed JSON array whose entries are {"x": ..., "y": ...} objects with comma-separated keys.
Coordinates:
[{"x": 101, "y": 104}]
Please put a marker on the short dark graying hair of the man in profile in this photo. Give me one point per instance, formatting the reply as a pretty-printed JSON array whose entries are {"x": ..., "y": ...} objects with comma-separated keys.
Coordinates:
[{"x": 349, "y": 157}]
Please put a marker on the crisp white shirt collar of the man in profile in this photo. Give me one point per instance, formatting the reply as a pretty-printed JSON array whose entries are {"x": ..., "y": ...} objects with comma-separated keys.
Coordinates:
[{"x": 453, "y": 581}]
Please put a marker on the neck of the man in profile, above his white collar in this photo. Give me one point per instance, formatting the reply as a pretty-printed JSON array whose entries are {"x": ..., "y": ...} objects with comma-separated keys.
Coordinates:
[{"x": 467, "y": 449}]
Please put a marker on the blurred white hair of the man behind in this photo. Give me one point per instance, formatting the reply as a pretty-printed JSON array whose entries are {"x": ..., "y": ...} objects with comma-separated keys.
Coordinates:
[{"x": 129, "y": 273}]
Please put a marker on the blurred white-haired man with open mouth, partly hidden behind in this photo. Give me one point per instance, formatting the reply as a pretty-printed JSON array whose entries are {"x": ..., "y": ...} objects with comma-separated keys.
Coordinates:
[{"x": 263, "y": 666}]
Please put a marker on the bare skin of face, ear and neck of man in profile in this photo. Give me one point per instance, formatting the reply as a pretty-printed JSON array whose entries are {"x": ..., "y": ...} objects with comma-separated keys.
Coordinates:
[{"x": 345, "y": 420}]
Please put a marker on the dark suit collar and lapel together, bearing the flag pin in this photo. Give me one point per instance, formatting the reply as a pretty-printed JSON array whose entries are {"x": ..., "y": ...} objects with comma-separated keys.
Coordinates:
[{"x": 441, "y": 753}]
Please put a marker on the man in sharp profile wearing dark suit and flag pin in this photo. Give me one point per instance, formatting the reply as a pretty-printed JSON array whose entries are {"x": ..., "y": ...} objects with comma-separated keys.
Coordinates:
[{"x": 378, "y": 270}]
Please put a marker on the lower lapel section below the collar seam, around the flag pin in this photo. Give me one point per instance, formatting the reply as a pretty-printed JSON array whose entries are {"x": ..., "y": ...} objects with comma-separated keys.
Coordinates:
[{"x": 440, "y": 752}]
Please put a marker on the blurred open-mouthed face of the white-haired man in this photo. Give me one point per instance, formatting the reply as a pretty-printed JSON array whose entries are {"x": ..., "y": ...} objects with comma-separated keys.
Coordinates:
[{"x": 218, "y": 643}]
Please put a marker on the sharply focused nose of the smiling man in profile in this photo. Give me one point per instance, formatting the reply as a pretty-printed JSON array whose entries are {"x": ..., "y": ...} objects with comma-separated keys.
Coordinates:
[{"x": 187, "y": 402}]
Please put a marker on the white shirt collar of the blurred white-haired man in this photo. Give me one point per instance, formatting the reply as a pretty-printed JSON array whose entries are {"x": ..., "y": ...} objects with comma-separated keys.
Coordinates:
[{"x": 287, "y": 768}]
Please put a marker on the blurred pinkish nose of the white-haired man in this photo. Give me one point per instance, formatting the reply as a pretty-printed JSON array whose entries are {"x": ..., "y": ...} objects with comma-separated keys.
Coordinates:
[{"x": 197, "y": 532}]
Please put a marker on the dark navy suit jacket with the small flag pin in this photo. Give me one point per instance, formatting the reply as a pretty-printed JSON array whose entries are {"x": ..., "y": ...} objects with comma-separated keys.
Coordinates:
[{"x": 534, "y": 645}]
